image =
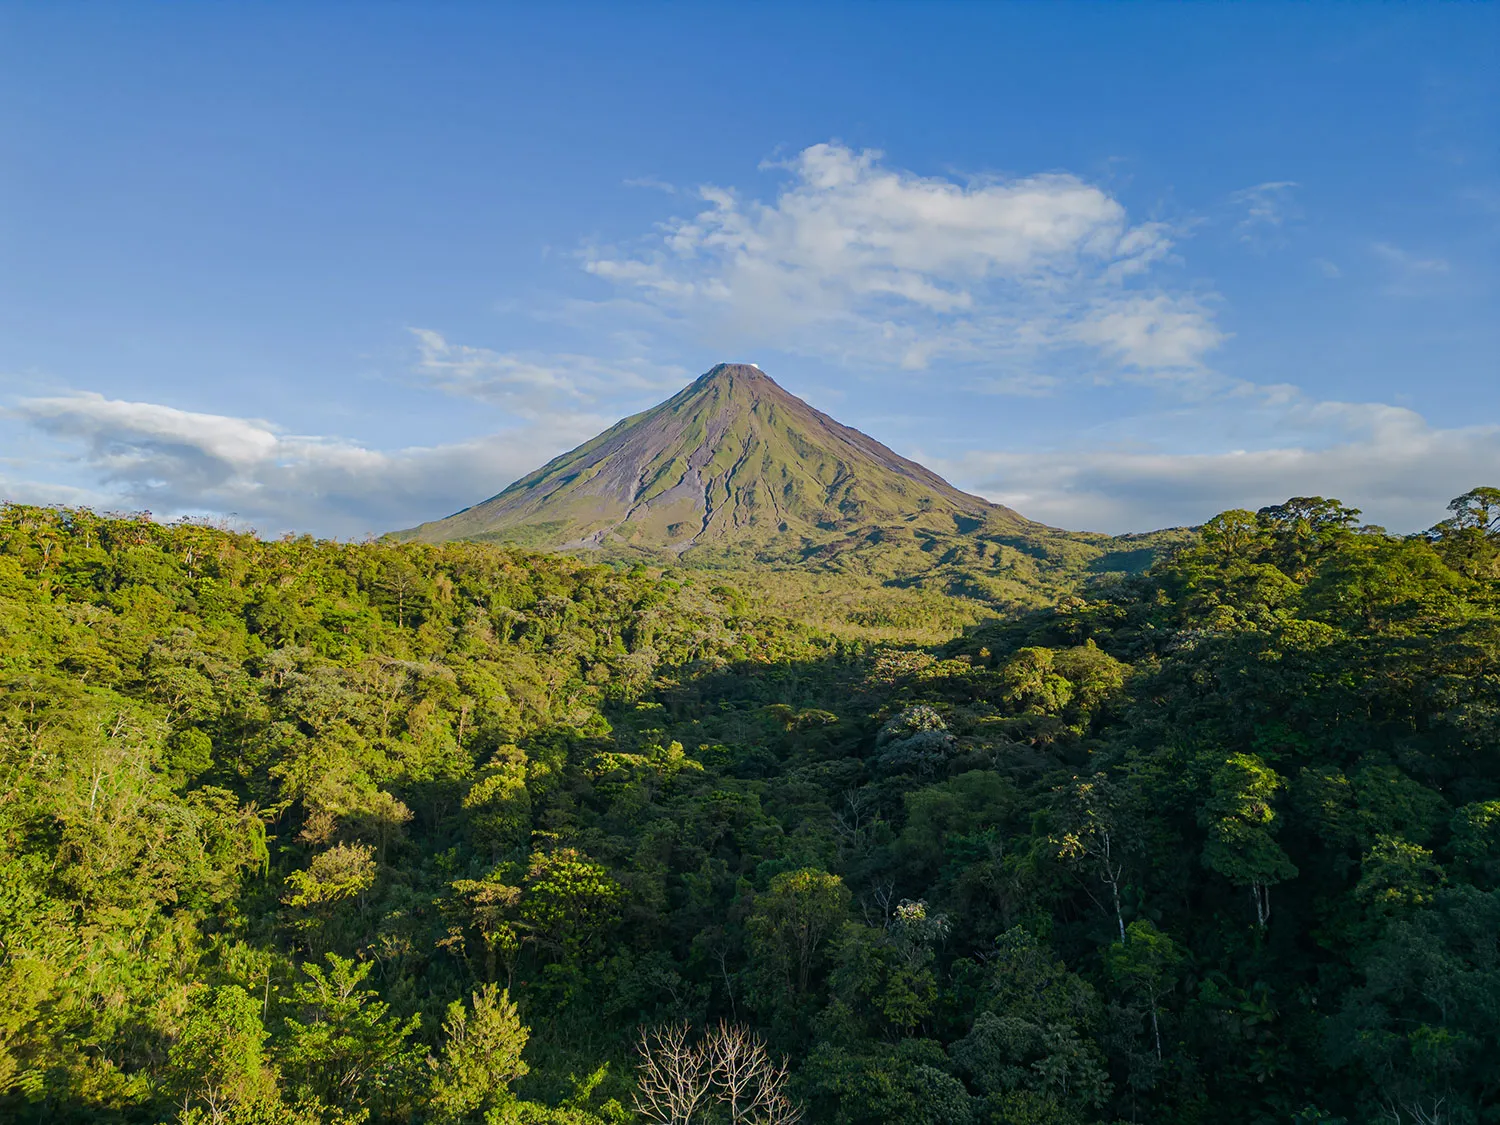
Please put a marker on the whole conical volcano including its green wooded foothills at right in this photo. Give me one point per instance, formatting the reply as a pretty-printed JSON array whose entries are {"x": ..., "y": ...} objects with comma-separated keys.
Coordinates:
[{"x": 737, "y": 473}]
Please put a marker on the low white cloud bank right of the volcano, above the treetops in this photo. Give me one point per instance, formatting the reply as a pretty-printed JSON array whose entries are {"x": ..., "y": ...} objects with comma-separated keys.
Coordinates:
[{"x": 1384, "y": 460}]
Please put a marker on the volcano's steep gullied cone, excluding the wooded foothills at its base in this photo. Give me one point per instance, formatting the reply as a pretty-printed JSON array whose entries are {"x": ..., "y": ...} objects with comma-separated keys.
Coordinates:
[{"x": 731, "y": 466}]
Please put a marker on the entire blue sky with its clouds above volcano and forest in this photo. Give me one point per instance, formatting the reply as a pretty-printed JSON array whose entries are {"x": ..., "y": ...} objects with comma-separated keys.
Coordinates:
[{"x": 346, "y": 268}]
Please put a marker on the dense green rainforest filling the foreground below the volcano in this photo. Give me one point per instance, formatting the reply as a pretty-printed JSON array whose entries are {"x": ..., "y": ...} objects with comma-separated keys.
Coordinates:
[{"x": 302, "y": 832}]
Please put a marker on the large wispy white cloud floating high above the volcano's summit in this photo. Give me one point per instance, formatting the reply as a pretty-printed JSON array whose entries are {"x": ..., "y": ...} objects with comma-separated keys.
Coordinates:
[{"x": 854, "y": 259}]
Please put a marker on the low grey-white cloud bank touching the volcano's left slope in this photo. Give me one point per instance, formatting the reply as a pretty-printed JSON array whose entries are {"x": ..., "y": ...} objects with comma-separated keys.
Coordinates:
[{"x": 179, "y": 463}]
